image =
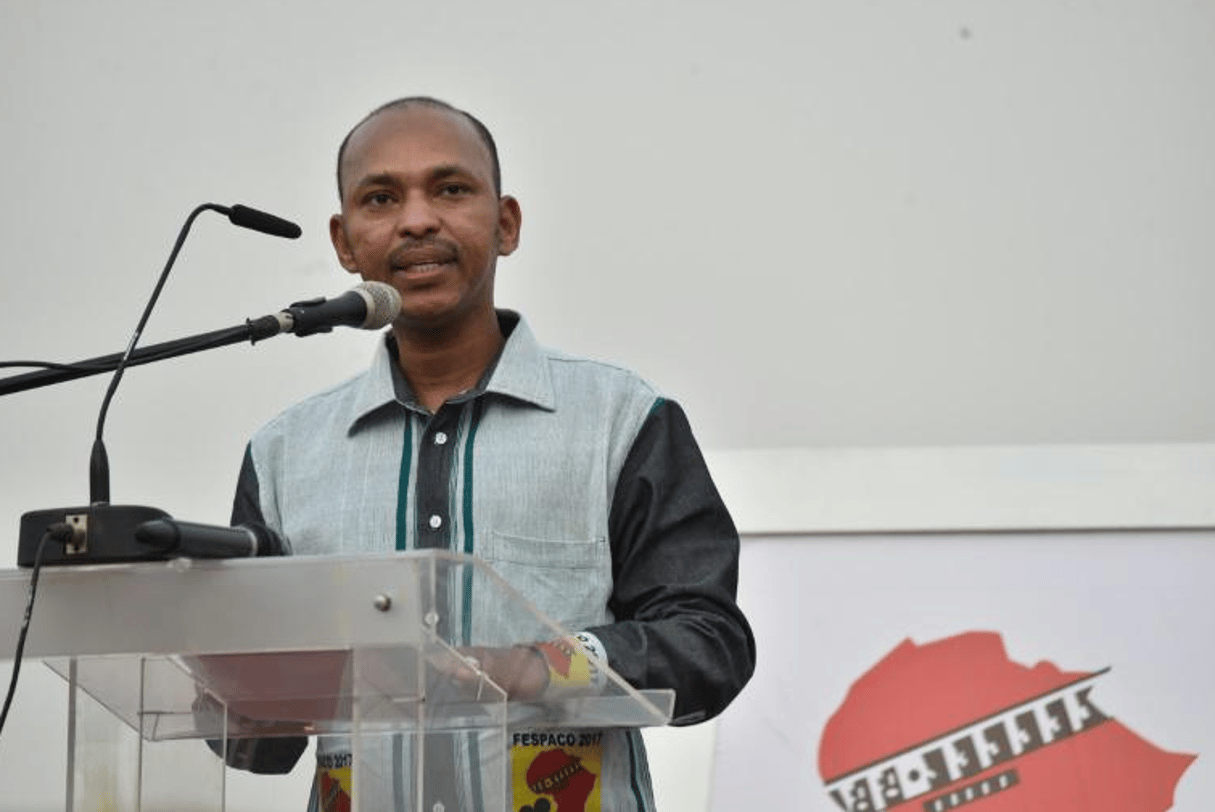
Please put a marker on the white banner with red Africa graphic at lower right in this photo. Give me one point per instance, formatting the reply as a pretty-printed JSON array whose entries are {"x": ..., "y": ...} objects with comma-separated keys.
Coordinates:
[{"x": 1046, "y": 672}]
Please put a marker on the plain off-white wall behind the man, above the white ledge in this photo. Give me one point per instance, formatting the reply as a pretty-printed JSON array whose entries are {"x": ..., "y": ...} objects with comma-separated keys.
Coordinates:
[{"x": 817, "y": 224}]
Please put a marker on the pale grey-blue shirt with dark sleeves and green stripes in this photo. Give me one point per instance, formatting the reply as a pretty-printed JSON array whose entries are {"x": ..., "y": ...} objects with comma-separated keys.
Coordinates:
[{"x": 574, "y": 480}]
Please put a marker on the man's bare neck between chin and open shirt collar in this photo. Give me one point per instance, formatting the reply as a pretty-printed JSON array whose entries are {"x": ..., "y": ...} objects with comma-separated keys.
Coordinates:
[{"x": 442, "y": 364}]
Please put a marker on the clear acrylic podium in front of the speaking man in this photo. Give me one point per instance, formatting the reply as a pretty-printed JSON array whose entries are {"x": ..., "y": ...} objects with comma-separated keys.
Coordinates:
[{"x": 409, "y": 670}]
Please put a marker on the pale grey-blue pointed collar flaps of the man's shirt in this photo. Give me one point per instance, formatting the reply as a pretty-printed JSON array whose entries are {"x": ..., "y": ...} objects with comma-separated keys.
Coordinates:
[{"x": 521, "y": 373}]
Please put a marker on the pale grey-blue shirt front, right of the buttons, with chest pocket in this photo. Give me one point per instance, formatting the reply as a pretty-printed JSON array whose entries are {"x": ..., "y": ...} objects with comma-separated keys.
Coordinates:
[{"x": 553, "y": 476}]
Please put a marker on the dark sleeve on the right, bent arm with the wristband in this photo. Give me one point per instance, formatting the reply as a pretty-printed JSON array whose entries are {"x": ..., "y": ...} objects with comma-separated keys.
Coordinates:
[{"x": 675, "y": 568}]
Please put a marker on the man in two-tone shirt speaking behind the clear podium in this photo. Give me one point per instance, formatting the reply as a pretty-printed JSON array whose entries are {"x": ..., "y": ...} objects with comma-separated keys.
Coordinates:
[{"x": 574, "y": 480}]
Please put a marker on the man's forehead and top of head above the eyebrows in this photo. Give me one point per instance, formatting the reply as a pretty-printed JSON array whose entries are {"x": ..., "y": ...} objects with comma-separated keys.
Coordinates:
[{"x": 419, "y": 131}]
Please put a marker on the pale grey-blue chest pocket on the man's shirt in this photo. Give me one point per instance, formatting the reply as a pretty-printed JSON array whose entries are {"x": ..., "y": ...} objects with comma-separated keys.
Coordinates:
[{"x": 567, "y": 582}]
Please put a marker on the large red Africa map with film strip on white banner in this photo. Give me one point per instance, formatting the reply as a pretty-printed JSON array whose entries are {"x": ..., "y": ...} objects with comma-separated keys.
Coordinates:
[{"x": 956, "y": 724}]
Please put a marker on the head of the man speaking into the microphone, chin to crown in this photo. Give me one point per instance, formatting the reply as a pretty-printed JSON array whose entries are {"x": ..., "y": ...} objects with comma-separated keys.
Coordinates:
[{"x": 421, "y": 213}]
